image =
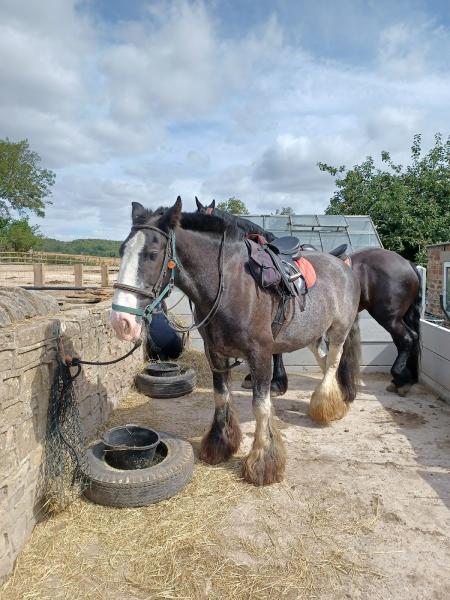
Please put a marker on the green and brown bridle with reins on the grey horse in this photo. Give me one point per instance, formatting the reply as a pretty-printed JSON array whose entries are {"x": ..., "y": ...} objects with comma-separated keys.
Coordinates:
[{"x": 170, "y": 264}]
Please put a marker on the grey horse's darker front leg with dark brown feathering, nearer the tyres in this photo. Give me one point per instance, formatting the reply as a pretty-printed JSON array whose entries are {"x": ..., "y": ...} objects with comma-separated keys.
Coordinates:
[{"x": 224, "y": 436}]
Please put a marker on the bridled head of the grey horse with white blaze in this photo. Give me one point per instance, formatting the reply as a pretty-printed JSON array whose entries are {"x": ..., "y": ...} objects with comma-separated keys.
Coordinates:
[{"x": 145, "y": 266}]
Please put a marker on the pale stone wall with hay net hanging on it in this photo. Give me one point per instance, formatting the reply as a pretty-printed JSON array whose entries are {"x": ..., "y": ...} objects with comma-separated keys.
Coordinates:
[{"x": 28, "y": 348}]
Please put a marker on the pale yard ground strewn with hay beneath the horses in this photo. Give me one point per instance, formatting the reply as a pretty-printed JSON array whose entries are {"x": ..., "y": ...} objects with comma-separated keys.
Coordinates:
[{"x": 363, "y": 513}]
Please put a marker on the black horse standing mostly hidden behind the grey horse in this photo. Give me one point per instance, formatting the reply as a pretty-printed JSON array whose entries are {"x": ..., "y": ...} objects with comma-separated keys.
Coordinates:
[{"x": 391, "y": 292}]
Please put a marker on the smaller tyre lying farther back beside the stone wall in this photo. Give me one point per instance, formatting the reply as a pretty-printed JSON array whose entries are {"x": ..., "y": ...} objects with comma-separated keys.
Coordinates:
[{"x": 162, "y": 380}]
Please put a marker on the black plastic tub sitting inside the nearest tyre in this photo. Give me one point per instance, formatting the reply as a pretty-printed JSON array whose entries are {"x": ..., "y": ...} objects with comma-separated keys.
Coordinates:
[{"x": 130, "y": 446}]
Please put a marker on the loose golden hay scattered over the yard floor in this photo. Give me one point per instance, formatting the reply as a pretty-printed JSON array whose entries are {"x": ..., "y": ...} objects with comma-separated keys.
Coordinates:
[{"x": 219, "y": 539}]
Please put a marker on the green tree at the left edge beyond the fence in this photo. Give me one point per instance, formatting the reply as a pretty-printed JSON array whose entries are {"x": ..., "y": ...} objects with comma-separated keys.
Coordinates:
[{"x": 24, "y": 185}]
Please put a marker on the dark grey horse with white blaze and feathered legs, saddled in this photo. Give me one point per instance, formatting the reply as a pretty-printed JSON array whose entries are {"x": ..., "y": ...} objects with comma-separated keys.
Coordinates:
[{"x": 211, "y": 265}]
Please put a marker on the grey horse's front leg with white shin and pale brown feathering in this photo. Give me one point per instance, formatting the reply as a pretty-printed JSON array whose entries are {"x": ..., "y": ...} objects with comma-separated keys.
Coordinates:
[{"x": 267, "y": 459}]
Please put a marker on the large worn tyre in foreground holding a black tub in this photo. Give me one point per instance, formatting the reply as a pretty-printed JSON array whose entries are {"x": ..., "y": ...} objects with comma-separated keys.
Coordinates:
[{"x": 139, "y": 487}]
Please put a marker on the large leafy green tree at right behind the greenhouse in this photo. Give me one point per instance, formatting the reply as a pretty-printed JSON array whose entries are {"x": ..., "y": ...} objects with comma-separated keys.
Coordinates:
[{"x": 410, "y": 206}]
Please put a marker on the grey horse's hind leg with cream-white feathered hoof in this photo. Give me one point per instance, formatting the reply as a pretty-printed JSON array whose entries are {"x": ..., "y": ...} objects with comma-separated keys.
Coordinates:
[{"x": 327, "y": 402}]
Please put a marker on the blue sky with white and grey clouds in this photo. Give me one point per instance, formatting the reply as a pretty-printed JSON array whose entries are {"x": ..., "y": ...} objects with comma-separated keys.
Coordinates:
[{"x": 142, "y": 101}]
